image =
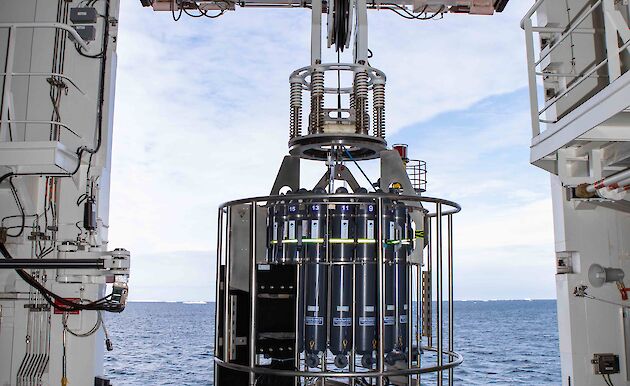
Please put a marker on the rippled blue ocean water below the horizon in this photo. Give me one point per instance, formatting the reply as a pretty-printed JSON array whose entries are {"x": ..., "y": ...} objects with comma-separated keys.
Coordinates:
[{"x": 503, "y": 343}]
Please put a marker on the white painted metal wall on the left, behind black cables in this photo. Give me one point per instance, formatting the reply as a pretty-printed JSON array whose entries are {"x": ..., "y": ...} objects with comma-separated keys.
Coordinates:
[{"x": 27, "y": 147}]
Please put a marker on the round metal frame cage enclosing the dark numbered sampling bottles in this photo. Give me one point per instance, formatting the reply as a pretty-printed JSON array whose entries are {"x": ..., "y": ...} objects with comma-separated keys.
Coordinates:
[{"x": 270, "y": 348}]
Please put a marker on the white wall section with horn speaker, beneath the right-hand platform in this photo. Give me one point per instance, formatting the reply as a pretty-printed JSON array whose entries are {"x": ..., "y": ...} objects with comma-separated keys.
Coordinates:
[{"x": 589, "y": 234}]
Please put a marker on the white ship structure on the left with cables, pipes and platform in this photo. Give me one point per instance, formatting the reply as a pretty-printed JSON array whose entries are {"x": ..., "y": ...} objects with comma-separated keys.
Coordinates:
[{"x": 58, "y": 275}]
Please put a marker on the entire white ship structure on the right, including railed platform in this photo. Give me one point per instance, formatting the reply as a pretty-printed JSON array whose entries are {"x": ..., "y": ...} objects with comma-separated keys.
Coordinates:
[{"x": 579, "y": 87}]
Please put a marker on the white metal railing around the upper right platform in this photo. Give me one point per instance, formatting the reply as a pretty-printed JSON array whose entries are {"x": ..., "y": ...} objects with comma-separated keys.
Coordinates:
[{"x": 613, "y": 60}]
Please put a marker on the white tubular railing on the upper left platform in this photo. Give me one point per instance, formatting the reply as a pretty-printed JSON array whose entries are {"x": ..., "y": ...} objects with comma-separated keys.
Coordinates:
[{"x": 6, "y": 121}]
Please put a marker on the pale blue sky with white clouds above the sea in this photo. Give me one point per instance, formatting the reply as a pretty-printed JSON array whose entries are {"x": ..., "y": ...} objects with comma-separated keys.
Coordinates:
[{"x": 202, "y": 118}]
